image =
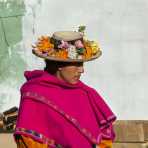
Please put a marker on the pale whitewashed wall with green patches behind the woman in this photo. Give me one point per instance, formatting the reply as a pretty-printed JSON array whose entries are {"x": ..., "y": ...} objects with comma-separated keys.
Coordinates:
[{"x": 120, "y": 75}]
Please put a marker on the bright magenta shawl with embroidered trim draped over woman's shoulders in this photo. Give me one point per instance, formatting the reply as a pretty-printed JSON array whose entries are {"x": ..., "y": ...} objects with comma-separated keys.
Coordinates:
[{"x": 74, "y": 116}]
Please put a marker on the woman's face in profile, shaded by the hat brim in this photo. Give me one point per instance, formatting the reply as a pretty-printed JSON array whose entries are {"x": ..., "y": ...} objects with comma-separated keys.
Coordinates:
[{"x": 71, "y": 72}]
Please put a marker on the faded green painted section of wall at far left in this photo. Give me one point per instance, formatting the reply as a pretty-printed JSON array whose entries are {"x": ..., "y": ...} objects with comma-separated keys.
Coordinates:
[{"x": 11, "y": 62}]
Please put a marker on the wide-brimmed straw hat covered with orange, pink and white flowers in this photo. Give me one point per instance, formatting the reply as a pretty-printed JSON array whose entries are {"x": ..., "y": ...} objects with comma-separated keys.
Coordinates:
[{"x": 66, "y": 46}]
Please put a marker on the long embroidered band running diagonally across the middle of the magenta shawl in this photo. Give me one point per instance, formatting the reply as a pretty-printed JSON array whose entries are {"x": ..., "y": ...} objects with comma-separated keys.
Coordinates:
[{"x": 84, "y": 131}]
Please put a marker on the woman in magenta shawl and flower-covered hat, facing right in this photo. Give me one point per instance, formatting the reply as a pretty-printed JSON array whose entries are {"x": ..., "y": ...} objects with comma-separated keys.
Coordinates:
[{"x": 56, "y": 108}]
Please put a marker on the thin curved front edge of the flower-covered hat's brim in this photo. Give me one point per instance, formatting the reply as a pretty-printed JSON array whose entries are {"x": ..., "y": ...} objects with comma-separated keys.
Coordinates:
[{"x": 39, "y": 54}]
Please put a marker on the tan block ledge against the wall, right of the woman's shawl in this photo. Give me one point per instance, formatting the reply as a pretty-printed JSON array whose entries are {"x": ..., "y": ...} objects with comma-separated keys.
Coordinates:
[{"x": 131, "y": 131}]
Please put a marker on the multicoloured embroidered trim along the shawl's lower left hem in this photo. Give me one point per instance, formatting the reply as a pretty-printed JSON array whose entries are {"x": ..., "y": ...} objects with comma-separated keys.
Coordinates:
[{"x": 36, "y": 135}]
